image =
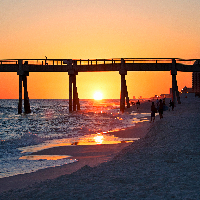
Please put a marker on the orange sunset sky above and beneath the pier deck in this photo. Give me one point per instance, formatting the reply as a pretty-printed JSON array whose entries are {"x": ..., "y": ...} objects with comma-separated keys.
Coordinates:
[{"x": 97, "y": 29}]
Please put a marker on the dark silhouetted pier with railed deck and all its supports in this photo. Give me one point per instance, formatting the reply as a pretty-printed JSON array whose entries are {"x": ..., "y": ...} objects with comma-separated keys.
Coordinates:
[{"x": 24, "y": 66}]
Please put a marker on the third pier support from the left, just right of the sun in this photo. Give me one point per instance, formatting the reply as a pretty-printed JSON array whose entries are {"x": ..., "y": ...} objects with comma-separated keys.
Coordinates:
[{"x": 124, "y": 92}]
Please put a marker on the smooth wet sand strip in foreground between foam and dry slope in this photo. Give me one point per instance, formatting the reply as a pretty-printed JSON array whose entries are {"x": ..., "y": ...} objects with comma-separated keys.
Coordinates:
[{"x": 86, "y": 155}]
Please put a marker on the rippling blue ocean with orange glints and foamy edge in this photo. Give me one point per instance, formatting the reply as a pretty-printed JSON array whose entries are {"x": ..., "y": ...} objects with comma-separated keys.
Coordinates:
[{"x": 50, "y": 124}]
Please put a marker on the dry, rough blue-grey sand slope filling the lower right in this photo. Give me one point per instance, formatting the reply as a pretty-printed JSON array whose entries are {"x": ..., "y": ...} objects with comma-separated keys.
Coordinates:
[{"x": 165, "y": 164}]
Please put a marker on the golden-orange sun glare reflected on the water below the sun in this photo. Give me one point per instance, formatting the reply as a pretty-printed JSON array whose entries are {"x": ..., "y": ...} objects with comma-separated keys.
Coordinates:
[{"x": 98, "y": 138}]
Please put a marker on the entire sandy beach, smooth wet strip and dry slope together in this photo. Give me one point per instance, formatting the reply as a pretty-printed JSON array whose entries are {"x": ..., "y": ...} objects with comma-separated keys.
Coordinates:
[{"x": 163, "y": 164}]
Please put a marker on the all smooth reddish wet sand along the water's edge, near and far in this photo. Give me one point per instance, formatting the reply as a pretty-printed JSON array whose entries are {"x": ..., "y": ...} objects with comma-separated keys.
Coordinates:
[{"x": 90, "y": 155}]
